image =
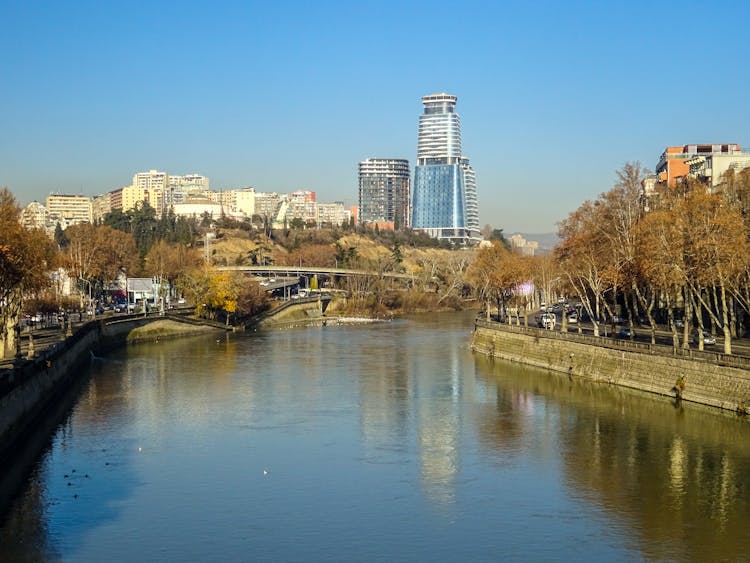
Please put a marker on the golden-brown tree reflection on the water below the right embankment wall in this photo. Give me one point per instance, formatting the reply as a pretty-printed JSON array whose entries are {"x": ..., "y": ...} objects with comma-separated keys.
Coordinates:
[{"x": 677, "y": 478}]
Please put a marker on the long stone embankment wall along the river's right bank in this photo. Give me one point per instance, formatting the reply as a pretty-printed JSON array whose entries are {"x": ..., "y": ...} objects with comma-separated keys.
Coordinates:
[{"x": 646, "y": 369}]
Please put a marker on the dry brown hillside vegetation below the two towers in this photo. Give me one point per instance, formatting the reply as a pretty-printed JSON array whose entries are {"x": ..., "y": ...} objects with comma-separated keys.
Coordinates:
[{"x": 437, "y": 274}]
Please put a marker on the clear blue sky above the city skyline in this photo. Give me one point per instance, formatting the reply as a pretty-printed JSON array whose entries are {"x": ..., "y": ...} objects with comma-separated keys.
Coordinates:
[{"x": 553, "y": 96}]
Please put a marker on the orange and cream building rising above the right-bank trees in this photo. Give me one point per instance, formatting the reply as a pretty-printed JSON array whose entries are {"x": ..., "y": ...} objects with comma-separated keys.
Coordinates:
[{"x": 704, "y": 162}]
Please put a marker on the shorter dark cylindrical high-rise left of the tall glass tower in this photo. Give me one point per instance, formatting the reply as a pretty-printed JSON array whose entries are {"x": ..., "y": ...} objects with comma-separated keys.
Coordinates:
[{"x": 384, "y": 192}]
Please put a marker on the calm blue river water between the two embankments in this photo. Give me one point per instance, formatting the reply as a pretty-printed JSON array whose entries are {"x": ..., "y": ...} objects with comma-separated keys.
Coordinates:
[{"x": 387, "y": 442}]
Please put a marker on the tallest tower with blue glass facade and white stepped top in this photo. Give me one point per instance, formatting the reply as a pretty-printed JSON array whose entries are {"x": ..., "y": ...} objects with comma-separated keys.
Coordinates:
[{"x": 444, "y": 201}]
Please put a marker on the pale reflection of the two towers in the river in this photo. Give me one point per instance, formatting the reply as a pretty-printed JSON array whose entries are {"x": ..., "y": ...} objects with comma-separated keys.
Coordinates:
[{"x": 410, "y": 396}]
